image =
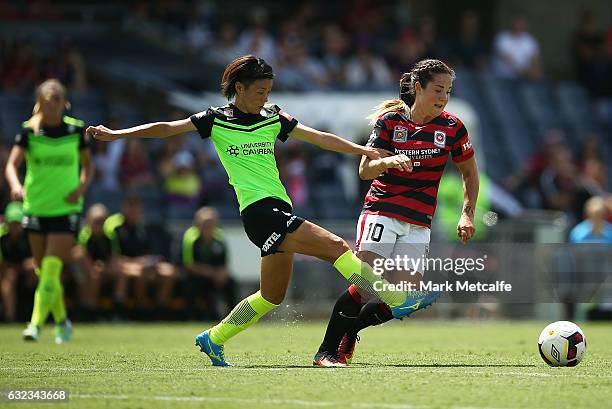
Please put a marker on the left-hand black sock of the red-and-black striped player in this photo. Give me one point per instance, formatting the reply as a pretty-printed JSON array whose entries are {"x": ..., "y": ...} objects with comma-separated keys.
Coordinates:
[{"x": 342, "y": 319}]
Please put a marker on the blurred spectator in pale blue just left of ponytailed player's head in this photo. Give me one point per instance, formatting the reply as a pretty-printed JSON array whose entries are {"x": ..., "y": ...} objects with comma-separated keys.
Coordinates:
[{"x": 367, "y": 72}]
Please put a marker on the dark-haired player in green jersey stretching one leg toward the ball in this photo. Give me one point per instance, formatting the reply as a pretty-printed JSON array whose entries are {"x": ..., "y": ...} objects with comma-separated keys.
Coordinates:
[{"x": 244, "y": 133}]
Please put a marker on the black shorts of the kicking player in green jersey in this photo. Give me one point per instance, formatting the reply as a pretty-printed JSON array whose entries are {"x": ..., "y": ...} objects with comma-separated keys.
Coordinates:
[{"x": 267, "y": 222}]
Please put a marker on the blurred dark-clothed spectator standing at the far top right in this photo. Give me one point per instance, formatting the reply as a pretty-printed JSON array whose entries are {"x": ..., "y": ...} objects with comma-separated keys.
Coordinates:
[{"x": 587, "y": 48}]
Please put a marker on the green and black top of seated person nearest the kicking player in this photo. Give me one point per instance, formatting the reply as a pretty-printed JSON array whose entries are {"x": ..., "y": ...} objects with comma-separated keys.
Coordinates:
[{"x": 196, "y": 250}]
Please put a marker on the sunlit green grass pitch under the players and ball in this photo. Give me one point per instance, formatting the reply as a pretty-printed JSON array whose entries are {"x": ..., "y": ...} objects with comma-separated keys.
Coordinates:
[{"x": 417, "y": 364}]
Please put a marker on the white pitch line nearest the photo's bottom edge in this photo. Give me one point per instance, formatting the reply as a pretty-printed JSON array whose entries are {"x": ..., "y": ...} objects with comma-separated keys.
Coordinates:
[{"x": 267, "y": 402}]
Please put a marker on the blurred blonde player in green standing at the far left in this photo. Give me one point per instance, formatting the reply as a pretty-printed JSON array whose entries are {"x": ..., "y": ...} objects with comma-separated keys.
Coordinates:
[{"x": 58, "y": 171}]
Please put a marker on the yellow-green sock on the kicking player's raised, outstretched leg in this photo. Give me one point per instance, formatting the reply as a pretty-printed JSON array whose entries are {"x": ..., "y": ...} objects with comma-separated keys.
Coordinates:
[{"x": 360, "y": 273}]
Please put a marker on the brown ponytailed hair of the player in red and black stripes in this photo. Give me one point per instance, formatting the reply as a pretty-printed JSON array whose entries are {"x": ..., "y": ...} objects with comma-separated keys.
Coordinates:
[{"x": 421, "y": 72}]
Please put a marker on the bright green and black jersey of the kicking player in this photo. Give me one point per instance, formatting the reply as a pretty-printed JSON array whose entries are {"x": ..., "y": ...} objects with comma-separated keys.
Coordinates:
[{"x": 245, "y": 145}]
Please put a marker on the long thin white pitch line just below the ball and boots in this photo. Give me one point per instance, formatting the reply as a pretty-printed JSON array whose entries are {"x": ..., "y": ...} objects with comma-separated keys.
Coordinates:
[{"x": 466, "y": 371}]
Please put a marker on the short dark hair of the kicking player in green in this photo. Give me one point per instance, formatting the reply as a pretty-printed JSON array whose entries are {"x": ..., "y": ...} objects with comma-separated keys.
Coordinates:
[{"x": 246, "y": 69}]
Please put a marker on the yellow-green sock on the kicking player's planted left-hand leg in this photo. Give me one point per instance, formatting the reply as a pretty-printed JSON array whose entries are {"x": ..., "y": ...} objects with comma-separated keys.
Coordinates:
[{"x": 245, "y": 314}]
